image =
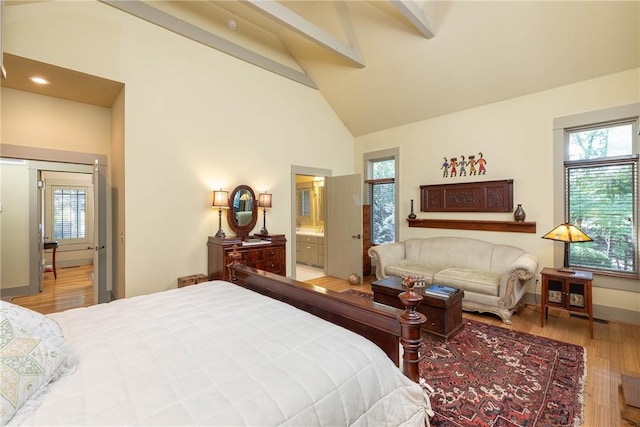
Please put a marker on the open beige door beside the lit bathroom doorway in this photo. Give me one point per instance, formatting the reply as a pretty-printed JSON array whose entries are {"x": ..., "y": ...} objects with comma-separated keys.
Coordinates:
[{"x": 343, "y": 225}]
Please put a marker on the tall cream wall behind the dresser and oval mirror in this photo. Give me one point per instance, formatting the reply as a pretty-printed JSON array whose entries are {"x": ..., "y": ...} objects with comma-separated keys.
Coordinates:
[{"x": 194, "y": 120}]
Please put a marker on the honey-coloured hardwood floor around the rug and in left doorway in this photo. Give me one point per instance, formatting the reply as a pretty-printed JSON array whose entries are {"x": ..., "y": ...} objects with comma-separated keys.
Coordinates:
[{"x": 615, "y": 349}]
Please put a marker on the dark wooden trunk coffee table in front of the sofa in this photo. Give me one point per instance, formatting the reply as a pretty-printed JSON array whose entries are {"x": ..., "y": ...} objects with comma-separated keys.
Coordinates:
[{"x": 444, "y": 315}]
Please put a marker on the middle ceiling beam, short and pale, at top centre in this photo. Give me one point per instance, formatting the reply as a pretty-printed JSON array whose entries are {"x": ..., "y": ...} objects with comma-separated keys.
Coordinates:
[{"x": 296, "y": 23}]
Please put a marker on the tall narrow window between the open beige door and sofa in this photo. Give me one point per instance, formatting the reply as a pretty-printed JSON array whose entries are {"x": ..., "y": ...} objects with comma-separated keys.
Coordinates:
[{"x": 381, "y": 173}]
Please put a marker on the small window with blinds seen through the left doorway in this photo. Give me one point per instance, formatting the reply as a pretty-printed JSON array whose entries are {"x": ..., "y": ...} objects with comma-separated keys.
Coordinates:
[{"x": 69, "y": 214}]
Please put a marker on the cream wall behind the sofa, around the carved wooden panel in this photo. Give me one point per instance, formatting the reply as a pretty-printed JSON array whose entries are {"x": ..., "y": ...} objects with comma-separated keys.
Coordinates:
[{"x": 516, "y": 138}]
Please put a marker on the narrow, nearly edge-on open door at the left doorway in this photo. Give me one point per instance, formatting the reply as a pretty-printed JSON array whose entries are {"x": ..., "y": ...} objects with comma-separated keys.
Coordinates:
[{"x": 100, "y": 292}]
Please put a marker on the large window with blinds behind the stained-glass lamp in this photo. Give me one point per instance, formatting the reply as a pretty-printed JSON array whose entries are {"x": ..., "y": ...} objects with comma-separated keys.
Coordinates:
[{"x": 601, "y": 197}]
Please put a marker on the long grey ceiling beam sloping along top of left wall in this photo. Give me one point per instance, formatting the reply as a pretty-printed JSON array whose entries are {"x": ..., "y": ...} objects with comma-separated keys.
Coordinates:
[{"x": 155, "y": 16}]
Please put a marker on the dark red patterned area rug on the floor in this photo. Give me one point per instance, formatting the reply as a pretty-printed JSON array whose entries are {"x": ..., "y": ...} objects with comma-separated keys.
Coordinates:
[{"x": 492, "y": 376}]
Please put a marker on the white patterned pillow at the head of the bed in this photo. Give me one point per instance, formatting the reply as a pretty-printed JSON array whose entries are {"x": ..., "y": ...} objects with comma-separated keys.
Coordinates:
[{"x": 33, "y": 353}]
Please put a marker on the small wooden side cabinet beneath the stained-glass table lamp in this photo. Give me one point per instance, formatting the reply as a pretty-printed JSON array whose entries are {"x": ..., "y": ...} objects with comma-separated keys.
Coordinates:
[{"x": 569, "y": 291}]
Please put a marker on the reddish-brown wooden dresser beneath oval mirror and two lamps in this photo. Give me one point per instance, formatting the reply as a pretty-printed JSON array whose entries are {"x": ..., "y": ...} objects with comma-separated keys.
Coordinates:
[{"x": 268, "y": 253}]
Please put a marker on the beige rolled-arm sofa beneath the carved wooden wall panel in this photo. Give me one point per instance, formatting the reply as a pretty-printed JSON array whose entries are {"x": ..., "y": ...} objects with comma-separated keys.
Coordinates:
[{"x": 494, "y": 277}]
